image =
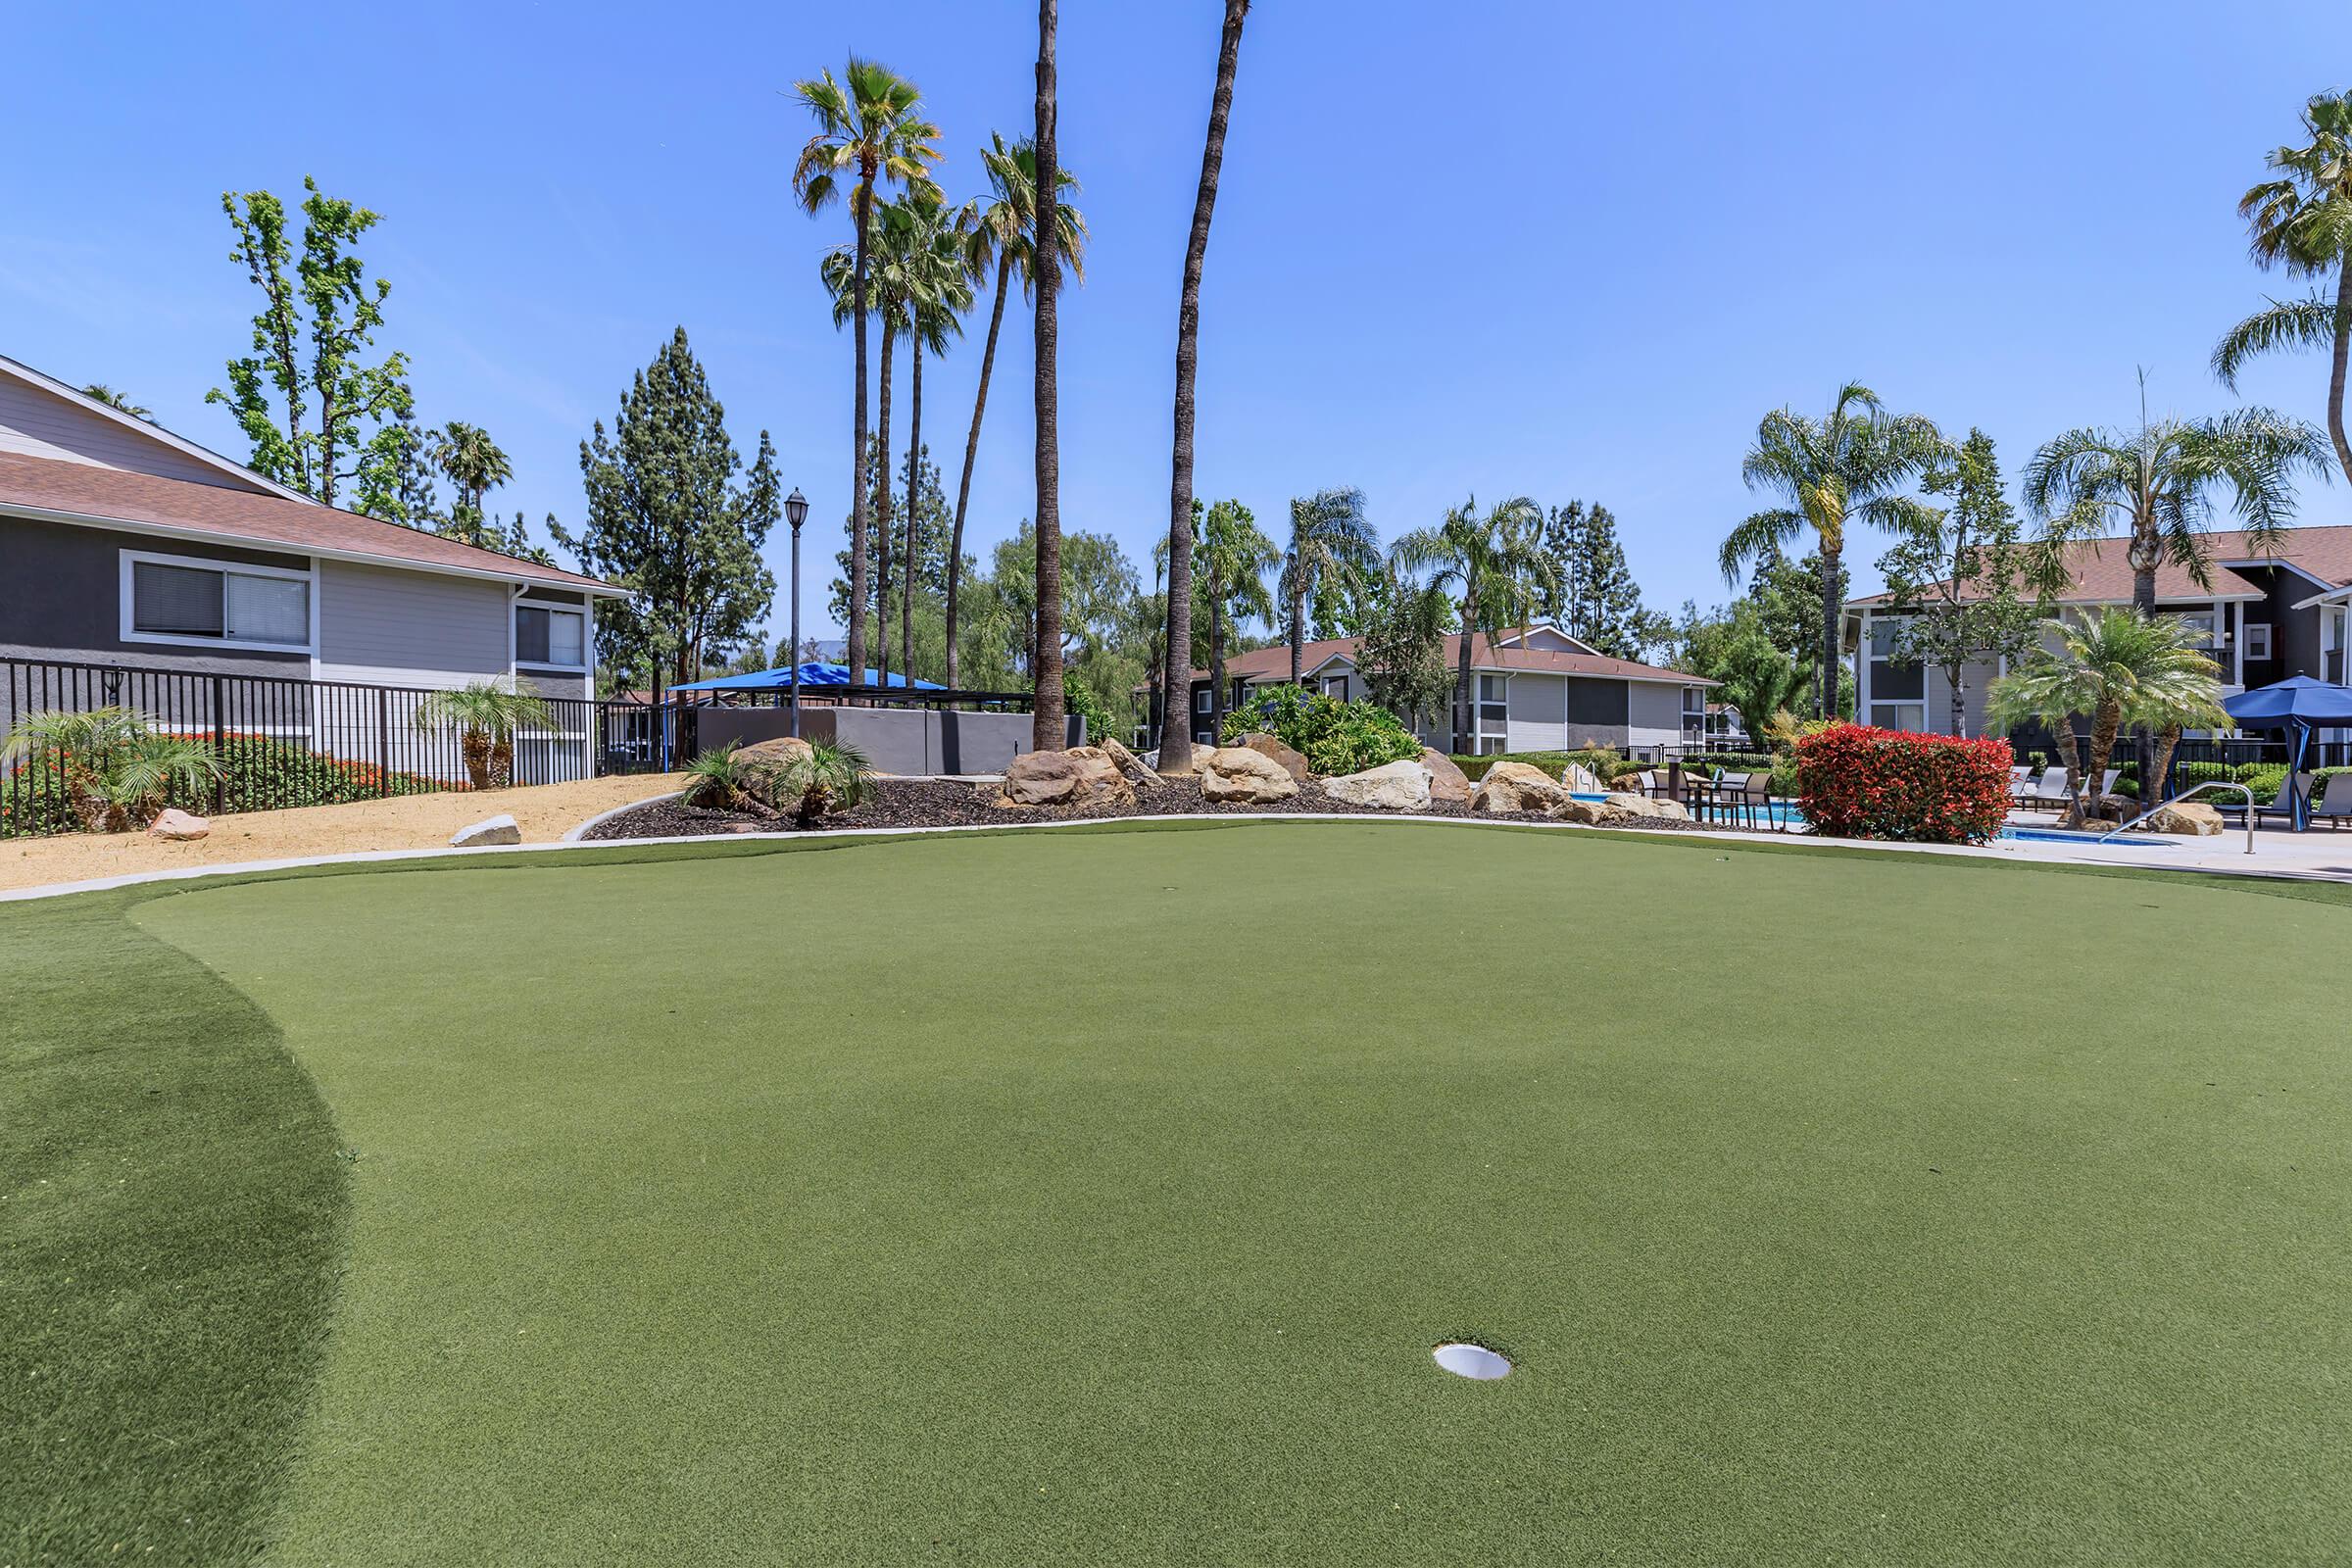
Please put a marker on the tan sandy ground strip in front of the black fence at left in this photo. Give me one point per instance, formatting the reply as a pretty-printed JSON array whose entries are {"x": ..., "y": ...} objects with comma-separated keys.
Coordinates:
[{"x": 413, "y": 822}]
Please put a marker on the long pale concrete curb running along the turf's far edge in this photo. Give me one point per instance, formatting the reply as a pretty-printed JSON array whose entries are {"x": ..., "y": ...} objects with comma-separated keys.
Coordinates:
[{"x": 2031, "y": 855}]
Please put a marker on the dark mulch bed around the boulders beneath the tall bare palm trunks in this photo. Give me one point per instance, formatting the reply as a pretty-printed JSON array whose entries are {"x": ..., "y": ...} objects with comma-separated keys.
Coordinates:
[{"x": 928, "y": 803}]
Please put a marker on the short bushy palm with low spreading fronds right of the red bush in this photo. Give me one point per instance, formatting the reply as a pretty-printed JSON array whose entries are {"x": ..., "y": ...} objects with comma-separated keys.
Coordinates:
[{"x": 2116, "y": 666}]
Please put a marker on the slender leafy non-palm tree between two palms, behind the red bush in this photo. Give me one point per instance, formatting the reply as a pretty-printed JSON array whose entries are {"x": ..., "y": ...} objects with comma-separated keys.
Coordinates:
[{"x": 1960, "y": 575}]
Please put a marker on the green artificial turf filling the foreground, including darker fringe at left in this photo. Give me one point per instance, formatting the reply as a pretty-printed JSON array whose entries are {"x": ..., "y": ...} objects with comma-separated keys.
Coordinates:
[{"x": 1095, "y": 1198}]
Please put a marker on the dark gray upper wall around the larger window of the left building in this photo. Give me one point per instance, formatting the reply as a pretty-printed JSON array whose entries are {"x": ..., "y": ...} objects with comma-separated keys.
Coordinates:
[{"x": 62, "y": 598}]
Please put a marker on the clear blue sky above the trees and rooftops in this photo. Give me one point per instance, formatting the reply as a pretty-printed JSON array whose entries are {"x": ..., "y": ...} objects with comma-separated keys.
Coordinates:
[{"x": 1506, "y": 248}]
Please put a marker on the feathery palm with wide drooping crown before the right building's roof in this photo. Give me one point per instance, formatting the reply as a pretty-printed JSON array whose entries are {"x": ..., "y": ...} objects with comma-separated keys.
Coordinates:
[{"x": 2160, "y": 483}]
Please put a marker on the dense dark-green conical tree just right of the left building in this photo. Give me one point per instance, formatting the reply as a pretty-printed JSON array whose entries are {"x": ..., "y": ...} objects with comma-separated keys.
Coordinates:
[{"x": 669, "y": 521}]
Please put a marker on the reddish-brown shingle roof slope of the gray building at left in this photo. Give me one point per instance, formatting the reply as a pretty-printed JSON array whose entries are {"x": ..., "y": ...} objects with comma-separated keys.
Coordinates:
[{"x": 114, "y": 495}]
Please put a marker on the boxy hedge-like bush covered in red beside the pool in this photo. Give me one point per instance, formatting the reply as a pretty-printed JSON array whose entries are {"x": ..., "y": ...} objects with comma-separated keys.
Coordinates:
[{"x": 1887, "y": 784}]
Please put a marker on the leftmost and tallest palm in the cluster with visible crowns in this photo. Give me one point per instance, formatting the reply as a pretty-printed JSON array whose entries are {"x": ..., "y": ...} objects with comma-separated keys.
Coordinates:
[{"x": 871, "y": 128}]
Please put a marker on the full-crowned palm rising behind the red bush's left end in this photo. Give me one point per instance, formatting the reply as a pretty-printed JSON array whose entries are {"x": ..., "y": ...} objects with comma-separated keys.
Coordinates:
[{"x": 1850, "y": 467}]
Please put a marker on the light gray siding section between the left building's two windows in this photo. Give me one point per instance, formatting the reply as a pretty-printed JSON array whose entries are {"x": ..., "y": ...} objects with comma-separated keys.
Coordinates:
[{"x": 410, "y": 629}]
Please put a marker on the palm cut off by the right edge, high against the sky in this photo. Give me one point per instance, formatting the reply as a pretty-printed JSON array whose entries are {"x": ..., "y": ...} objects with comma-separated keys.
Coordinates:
[{"x": 2304, "y": 225}]
